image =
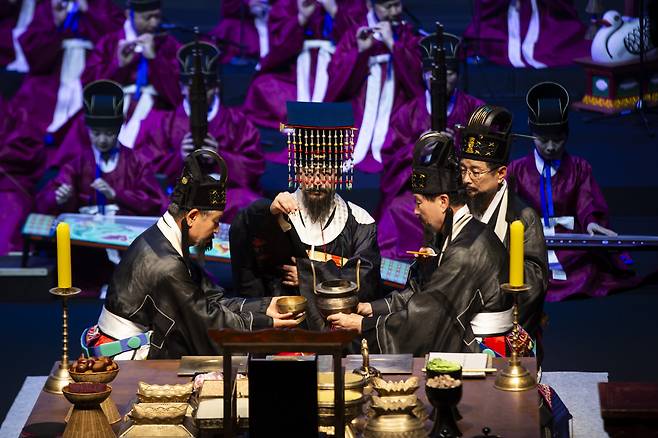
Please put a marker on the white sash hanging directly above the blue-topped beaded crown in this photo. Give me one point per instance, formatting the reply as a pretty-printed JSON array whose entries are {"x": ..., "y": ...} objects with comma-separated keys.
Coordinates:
[{"x": 325, "y": 51}]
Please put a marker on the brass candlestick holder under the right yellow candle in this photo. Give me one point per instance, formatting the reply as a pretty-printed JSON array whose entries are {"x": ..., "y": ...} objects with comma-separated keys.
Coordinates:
[{"x": 514, "y": 377}]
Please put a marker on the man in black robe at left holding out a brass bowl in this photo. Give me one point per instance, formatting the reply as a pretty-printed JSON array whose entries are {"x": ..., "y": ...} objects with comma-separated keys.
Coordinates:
[{"x": 160, "y": 304}]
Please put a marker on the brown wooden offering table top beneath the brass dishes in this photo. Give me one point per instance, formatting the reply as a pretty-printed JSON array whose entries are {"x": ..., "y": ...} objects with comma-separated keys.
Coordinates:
[{"x": 508, "y": 414}]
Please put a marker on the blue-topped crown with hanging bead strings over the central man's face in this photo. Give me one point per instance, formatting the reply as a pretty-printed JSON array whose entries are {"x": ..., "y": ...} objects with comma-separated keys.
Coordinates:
[{"x": 320, "y": 137}]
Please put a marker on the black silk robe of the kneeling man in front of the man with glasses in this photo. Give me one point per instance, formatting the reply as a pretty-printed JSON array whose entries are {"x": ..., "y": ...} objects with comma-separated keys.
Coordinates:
[{"x": 436, "y": 315}]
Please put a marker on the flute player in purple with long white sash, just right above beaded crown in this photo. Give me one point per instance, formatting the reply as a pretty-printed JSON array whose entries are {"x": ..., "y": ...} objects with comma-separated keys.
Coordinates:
[{"x": 377, "y": 68}]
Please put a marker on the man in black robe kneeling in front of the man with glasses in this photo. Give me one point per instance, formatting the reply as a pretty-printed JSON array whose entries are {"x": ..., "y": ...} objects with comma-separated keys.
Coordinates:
[{"x": 462, "y": 280}]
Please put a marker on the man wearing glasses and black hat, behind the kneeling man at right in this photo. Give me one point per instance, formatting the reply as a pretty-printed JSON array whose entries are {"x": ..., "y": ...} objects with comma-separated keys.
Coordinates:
[{"x": 484, "y": 160}]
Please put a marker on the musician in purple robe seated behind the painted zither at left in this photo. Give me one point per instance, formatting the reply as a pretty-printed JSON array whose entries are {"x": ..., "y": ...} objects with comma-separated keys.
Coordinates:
[{"x": 106, "y": 177}]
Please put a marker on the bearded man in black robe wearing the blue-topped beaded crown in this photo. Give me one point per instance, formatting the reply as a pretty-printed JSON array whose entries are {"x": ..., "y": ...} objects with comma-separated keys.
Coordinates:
[{"x": 273, "y": 243}]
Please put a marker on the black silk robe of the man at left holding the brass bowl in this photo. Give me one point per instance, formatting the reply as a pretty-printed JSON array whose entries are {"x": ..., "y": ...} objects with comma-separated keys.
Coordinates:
[{"x": 153, "y": 287}]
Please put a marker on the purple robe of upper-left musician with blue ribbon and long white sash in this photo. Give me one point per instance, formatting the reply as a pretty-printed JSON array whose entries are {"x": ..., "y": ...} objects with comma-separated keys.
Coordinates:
[{"x": 42, "y": 45}]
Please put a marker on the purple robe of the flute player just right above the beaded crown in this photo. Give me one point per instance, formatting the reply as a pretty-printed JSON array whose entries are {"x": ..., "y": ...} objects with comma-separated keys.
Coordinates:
[{"x": 349, "y": 71}]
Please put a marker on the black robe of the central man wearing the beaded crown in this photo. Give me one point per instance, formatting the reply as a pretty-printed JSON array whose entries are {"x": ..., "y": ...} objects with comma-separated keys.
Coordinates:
[{"x": 259, "y": 247}]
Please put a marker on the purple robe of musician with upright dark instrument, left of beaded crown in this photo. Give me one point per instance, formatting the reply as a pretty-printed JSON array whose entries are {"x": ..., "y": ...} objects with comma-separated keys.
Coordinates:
[{"x": 162, "y": 133}]
